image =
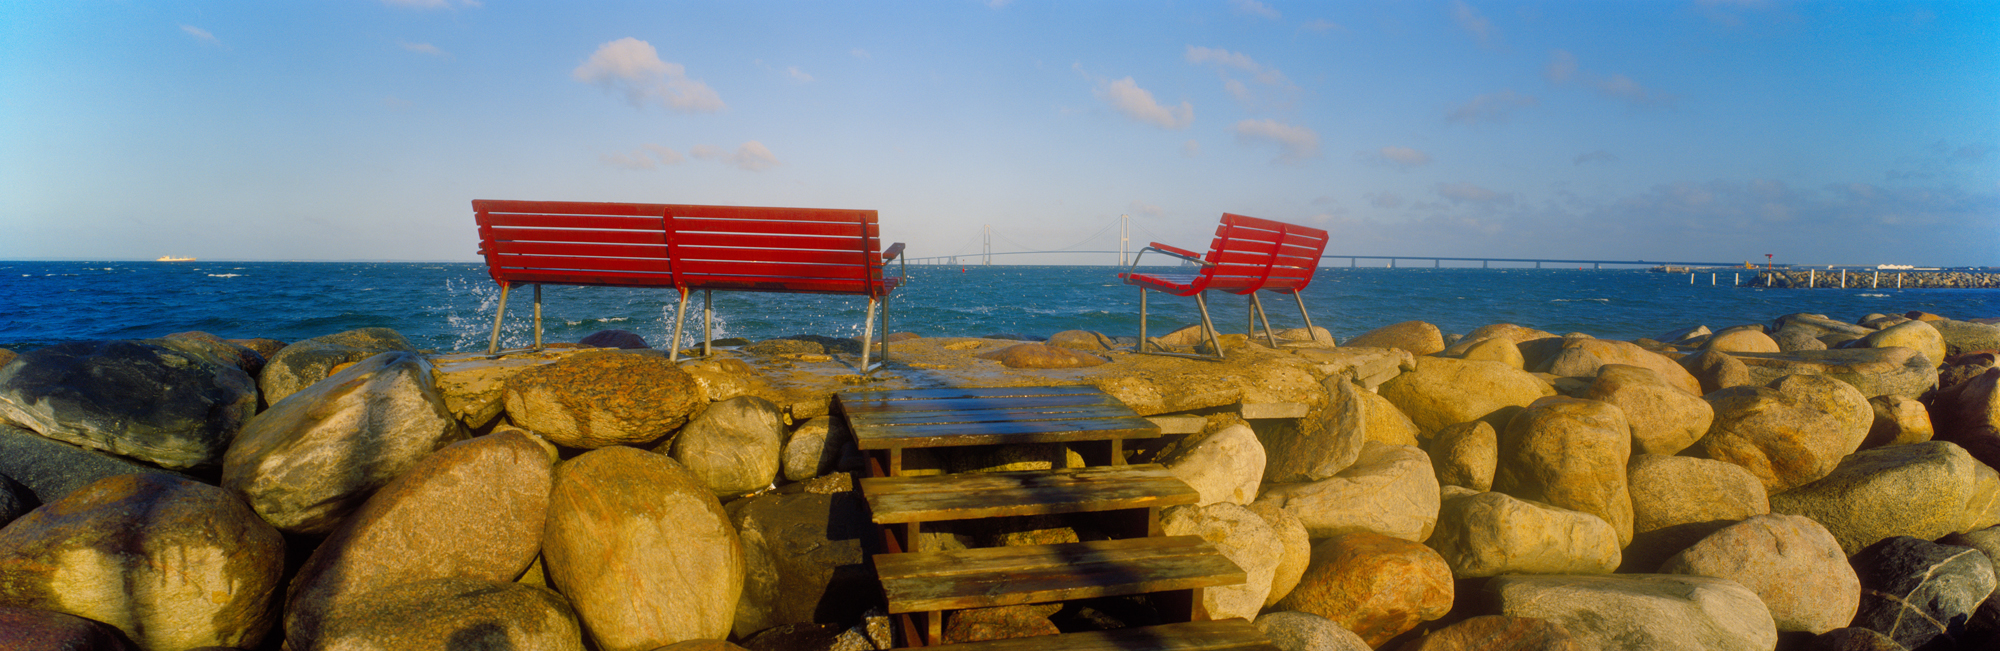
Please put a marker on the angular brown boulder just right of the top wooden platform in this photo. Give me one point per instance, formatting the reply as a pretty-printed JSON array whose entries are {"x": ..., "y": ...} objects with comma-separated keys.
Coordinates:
[{"x": 1321, "y": 444}]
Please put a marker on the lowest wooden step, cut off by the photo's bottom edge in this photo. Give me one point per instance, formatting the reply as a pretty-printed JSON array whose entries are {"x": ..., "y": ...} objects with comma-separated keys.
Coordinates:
[{"x": 1191, "y": 636}]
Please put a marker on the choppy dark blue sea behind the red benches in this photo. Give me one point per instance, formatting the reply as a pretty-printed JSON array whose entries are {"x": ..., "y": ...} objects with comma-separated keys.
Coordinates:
[{"x": 449, "y": 307}]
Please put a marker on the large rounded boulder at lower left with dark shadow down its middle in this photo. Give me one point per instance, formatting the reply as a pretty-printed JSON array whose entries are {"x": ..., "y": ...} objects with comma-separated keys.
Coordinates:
[{"x": 169, "y": 562}]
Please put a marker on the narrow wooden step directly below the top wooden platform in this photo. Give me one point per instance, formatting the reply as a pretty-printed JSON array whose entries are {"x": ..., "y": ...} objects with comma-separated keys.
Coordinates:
[{"x": 969, "y": 496}]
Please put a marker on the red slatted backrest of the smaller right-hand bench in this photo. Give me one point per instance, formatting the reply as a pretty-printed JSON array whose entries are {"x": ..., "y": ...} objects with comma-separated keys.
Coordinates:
[{"x": 1261, "y": 255}]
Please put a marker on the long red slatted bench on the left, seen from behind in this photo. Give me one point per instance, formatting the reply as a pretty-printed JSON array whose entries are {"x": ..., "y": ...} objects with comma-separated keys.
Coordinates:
[{"x": 733, "y": 249}]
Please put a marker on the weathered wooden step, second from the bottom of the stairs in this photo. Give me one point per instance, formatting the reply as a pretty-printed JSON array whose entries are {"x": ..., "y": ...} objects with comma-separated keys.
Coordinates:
[{"x": 1039, "y": 574}]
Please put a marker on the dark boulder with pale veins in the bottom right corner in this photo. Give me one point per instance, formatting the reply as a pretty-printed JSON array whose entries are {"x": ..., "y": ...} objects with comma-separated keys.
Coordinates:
[{"x": 1919, "y": 592}]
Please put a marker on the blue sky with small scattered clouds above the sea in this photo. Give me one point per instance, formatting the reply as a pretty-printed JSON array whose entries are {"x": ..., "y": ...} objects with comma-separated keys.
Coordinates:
[{"x": 1821, "y": 133}]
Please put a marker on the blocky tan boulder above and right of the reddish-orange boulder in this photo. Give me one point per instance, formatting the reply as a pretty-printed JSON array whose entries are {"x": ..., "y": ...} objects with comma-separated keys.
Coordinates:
[{"x": 1497, "y": 534}]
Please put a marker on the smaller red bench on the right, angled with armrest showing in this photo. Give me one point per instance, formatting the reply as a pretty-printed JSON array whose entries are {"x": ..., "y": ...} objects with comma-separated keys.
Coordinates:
[{"x": 1247, "y": 257}]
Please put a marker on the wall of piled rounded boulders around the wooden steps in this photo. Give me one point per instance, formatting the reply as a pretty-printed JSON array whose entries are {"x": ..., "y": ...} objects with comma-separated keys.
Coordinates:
[{"x": 1795, "y": 484}]
